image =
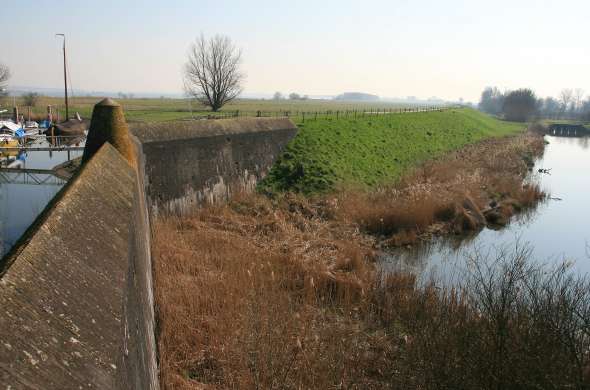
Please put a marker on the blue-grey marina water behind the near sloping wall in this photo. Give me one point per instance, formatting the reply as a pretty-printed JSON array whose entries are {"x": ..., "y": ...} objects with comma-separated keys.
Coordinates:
[{"x": 24, "y": 195}]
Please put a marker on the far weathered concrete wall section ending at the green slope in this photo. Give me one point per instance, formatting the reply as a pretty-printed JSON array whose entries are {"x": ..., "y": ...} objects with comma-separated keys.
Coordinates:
[{"x": 190, "y": 163}]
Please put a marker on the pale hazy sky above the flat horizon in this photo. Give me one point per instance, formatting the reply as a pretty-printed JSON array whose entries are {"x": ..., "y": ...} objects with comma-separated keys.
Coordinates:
[{"x": 448, "y": 49}]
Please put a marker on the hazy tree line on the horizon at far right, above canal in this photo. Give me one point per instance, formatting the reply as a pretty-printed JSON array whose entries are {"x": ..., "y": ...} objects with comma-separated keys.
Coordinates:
[{"x": 522, "y": 104}]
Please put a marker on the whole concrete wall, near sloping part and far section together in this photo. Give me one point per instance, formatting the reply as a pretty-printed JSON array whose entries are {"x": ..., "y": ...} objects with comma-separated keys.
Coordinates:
[{"x": 76, "y": 293}]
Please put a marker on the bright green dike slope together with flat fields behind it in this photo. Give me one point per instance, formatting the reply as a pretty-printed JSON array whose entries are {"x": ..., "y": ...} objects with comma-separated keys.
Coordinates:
[{"x": 349, "y": 148}]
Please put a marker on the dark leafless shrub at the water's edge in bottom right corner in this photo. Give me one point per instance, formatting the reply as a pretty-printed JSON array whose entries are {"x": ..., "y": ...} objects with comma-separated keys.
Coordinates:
[{"x": 512, "y": 323}]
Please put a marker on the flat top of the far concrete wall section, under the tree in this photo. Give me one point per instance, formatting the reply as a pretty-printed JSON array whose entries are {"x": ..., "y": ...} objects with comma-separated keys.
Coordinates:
[{"x": 153, "y": 132}]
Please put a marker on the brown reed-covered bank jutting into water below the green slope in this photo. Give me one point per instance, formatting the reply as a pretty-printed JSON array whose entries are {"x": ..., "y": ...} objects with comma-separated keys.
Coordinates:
[{"x": 480, "y": 185}]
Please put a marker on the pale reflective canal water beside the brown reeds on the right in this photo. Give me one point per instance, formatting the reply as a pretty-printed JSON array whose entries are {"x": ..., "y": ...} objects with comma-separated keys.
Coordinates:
[{"x": 557, "y": 231}]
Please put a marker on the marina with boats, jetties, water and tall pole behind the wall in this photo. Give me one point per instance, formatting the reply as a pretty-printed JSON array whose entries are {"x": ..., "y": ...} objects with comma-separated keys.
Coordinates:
[{"x": 36, "y": 156}]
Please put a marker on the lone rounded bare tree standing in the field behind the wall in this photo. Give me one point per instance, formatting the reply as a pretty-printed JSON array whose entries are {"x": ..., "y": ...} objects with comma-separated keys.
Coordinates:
[{"x": 212, "y": 74}]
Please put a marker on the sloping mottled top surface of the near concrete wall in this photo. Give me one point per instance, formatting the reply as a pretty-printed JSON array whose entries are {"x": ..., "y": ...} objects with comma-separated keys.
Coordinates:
[{"x": 61, "y": 297}]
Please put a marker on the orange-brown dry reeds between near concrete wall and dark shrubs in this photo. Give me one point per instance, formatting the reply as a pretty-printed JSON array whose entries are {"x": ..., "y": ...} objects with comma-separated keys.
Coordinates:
[{"x": 251, "y": 296}]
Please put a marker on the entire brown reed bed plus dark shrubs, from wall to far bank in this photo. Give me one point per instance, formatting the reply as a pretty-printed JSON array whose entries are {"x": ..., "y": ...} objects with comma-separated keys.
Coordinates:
[{"x": 283, "y": 293}]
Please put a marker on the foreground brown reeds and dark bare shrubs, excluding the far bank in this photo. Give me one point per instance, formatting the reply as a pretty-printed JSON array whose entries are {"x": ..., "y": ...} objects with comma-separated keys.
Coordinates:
[{"x": 237, "y": 308}]
